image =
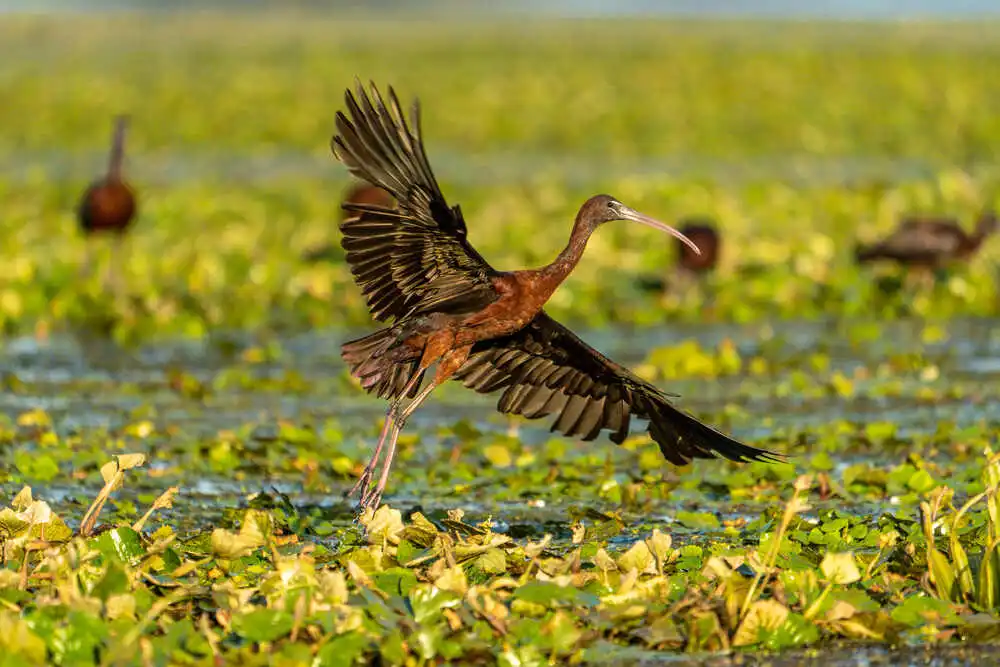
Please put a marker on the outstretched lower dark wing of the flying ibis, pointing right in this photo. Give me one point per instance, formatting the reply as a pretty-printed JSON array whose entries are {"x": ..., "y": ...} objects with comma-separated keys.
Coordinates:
[{"x": 545, "y": 369}]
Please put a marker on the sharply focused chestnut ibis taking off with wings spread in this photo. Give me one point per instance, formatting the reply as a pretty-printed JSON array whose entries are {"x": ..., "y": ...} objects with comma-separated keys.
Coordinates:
[{"x": 483, "y": 327}]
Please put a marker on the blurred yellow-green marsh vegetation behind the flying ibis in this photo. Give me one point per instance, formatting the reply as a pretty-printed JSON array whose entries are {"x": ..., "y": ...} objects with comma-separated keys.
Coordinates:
[{"x": 798, "y": 137}]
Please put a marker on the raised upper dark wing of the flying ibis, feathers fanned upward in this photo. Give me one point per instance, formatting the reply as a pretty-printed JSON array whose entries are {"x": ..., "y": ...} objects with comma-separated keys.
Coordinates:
[{"x": 415, "y": 258}]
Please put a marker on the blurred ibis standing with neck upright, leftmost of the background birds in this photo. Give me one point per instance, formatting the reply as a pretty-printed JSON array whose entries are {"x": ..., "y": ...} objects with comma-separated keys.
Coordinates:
[{"x": 108, "y": 205}]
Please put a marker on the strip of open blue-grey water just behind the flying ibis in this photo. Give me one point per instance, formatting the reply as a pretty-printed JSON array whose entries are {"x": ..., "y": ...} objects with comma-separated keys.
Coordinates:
[{"x": 969, "y": 353}]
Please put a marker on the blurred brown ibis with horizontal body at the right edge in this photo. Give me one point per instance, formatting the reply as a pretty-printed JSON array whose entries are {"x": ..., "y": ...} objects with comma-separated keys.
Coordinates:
[{"x": 929, "y": 242}]
